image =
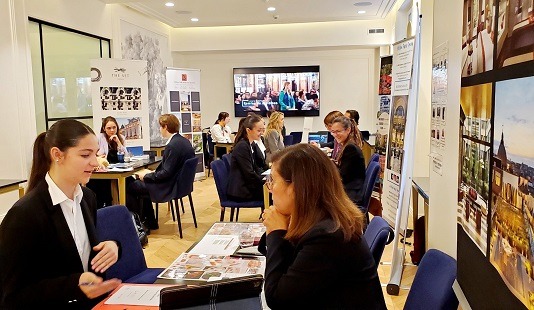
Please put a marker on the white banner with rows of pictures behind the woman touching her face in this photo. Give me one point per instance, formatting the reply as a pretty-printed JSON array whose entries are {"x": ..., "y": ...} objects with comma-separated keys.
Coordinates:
[{"x": 119, "y": 88}]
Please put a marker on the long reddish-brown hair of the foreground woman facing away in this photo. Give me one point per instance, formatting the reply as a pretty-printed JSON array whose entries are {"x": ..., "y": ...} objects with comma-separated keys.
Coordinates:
[{"x": 303, "y": 165}]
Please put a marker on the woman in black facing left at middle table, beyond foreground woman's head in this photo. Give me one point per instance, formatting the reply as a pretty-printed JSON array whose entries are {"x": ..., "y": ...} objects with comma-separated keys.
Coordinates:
[{"x": 349, "y": 159}]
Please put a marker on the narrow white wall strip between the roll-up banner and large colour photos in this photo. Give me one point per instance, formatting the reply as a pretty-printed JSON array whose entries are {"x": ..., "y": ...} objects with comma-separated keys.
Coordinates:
[{"x": 444, "y": 188}]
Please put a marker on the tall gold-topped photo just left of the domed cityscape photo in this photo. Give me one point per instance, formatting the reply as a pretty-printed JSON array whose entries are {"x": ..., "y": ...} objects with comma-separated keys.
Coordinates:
[{"x": 475, "y": 151}]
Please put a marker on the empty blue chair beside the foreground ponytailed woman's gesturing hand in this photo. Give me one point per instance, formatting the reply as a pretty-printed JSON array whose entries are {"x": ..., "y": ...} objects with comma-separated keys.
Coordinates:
[{"x": 116, "y": 223}]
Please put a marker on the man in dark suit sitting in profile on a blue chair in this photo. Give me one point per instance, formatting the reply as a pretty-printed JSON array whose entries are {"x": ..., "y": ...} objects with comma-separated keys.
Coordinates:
[{"x": 161, "y": 183}]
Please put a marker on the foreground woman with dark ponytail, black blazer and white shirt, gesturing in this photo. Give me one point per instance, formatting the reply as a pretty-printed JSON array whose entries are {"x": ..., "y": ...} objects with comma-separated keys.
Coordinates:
[{"x": 49, "y": 254}]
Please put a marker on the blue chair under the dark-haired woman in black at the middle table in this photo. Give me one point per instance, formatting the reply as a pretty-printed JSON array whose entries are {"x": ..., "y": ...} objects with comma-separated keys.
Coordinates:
[{"x": 220, "y": 174}]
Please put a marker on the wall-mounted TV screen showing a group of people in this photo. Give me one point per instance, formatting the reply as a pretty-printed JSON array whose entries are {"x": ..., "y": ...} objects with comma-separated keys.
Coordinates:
[{"x": 291, "y": 90}]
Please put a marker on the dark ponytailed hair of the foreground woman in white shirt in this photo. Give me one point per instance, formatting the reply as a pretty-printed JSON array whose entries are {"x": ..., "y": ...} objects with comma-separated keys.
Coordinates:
[{"x": 64, "y": 134}]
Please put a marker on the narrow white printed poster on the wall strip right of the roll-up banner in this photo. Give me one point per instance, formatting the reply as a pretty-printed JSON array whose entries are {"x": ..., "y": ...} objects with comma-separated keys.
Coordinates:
[{"x": 438, "y": 106}]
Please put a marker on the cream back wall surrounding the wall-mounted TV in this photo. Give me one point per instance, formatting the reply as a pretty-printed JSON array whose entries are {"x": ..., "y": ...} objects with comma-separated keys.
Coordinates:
[{"x": 348, "y": 80}]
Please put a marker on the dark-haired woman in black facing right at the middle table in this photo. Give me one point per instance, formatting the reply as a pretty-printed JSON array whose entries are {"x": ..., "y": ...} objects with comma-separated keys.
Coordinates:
[{"x": 245, "y": 180}]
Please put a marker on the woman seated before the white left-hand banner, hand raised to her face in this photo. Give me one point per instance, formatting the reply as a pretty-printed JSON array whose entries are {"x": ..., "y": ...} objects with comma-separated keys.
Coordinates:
[{"x": 110, "y": 142}]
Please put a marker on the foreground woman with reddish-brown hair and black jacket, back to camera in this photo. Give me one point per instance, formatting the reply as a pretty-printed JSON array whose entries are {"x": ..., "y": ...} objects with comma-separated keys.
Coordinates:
[{"x": 316, "y": 255}]
